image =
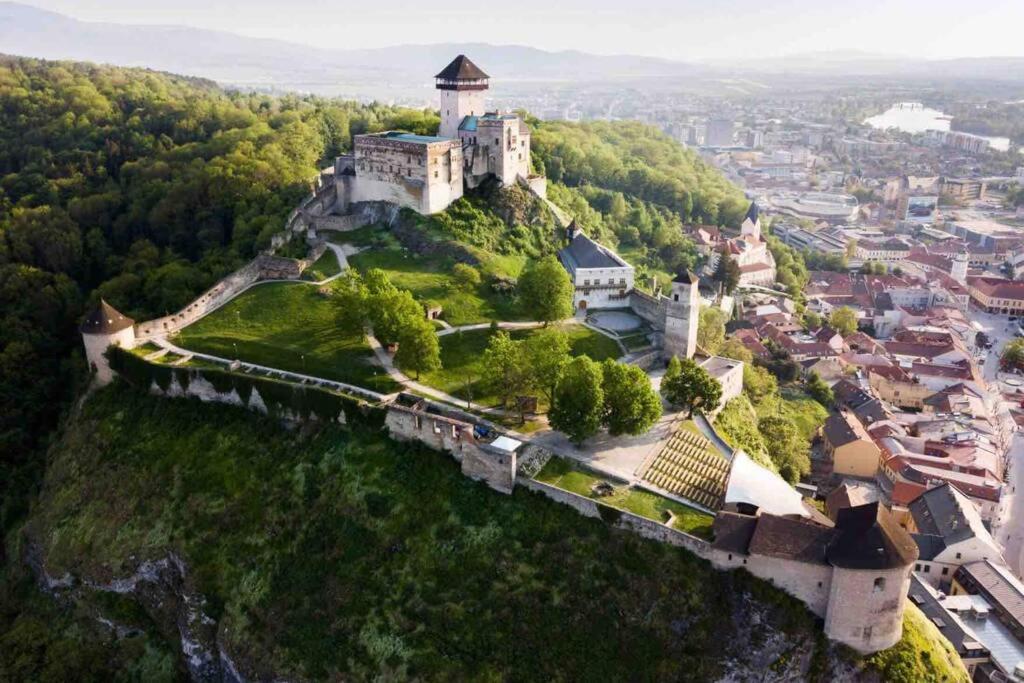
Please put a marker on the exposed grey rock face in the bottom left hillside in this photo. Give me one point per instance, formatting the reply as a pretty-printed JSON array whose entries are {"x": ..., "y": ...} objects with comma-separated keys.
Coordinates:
[{"x": 165, "y": 591}]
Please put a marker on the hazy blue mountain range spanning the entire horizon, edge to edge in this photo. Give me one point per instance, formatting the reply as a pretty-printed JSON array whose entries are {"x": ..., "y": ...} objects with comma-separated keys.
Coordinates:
[{"x": 385, "y": 72}]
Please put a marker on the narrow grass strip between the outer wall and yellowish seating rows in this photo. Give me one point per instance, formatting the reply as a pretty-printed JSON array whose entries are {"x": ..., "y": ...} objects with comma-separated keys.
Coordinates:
[{"x": 573, "y": 478}]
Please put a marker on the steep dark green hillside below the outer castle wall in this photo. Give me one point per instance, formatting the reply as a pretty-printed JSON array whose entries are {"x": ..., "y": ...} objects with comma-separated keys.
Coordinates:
[{"x": 325, "y": 553}]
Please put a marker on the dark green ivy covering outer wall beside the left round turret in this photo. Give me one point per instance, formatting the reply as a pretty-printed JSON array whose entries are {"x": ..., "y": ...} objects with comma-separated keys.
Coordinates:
[{"x": 281, "y": 399}]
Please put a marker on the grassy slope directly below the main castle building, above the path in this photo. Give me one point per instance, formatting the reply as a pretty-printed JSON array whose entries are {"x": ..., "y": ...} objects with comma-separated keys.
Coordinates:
[{"x": 430, "y": 281}]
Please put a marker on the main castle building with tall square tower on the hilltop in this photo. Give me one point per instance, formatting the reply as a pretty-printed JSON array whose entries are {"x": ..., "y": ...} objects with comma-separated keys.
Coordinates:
[{"x": 428, "y": 174}]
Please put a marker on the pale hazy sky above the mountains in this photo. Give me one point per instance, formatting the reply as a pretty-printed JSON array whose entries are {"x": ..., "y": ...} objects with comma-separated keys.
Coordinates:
[{"x": 676, "y": 29}]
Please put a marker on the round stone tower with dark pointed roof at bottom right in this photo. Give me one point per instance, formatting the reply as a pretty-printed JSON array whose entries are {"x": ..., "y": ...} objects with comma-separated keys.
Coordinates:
[{"x": 872, "y": 558}]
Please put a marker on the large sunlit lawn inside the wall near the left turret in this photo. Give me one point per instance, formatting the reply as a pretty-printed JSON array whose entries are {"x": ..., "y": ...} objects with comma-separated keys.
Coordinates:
[{"x": 287, "y": 326}]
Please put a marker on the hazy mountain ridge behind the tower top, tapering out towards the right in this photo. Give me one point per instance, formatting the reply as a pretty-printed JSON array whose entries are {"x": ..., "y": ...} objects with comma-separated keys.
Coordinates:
[{"x": 232, "y": 59}]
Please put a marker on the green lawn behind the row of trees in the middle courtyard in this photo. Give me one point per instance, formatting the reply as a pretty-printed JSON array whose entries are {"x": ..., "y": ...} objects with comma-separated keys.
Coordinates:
[{"x": 462, "y": 356}]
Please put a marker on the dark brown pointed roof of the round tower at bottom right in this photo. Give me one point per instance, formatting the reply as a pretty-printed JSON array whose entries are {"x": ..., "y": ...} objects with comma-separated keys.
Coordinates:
[{"x": 868, "y": 538}]
